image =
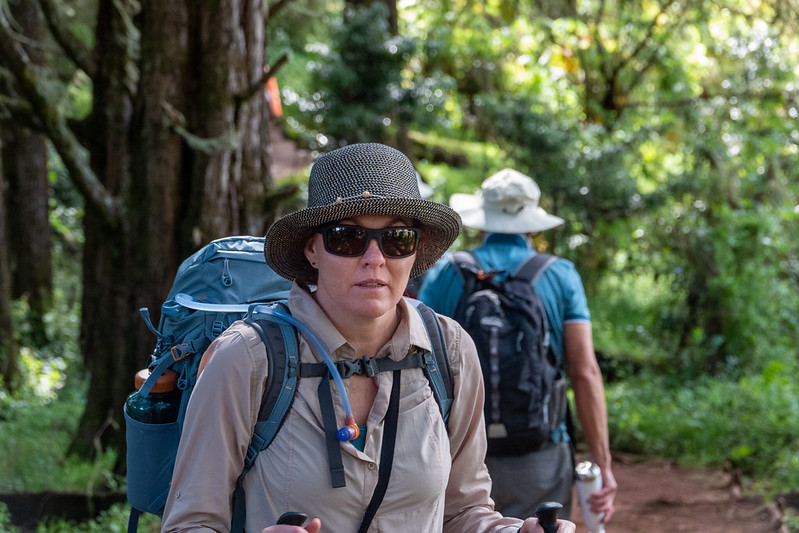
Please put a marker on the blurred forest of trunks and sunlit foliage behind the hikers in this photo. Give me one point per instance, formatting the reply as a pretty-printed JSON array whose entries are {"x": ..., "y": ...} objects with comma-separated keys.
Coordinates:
[{"x": 665, "y": 133}]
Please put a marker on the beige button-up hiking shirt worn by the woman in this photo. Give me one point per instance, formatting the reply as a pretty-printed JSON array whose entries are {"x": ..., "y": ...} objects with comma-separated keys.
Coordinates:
[{"x": 438, "y": 482}]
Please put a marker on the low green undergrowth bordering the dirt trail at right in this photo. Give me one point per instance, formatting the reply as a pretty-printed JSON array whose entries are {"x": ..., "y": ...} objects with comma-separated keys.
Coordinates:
[{"x": 750, "y": 423}]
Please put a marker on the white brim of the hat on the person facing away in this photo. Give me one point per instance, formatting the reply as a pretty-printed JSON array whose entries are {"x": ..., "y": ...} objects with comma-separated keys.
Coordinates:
[{"x": 474, "y": 214}]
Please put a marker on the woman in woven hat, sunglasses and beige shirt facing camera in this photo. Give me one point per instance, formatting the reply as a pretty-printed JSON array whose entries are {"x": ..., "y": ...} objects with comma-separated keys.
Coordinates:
[{"x": 365, "y": 232}]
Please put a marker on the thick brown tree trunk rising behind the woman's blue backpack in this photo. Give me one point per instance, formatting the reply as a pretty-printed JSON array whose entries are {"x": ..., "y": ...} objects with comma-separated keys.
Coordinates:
[{"x": 185, "y": 148}]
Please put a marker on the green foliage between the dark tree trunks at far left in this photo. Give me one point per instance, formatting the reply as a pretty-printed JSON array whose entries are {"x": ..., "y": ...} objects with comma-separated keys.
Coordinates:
[{"x": 37, "y": 423}]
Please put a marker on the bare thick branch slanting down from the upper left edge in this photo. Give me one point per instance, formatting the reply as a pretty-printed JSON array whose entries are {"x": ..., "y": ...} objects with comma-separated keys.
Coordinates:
[{"x": 52, "y": 123}]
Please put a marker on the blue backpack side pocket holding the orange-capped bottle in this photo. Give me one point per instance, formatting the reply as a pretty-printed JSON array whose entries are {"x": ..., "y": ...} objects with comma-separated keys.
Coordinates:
[{"x": 150, "y": 457}]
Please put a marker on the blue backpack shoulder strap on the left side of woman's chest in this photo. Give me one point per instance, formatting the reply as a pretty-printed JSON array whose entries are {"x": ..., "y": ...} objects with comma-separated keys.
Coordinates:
[{"x": 282, "y": 346}]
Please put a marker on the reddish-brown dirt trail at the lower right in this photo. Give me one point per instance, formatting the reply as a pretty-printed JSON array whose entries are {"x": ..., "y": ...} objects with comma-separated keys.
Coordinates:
[{"x": 658, "y": 497}]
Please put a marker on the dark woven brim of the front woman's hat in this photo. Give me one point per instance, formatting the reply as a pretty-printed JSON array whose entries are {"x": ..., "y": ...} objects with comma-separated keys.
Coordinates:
[{"x": 284, "y": 244}]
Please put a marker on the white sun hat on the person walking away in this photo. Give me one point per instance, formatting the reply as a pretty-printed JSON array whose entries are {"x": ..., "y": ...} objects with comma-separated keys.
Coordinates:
[{"x": 506, "y": 203}]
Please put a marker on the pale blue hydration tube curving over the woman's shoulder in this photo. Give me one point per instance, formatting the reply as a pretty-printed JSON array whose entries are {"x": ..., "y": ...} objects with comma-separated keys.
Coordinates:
[{"x": 350, "y": 430}]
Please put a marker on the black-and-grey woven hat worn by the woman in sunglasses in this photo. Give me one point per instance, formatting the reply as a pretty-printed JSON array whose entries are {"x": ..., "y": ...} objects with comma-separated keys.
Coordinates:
[{"x": 360, "y": 179}]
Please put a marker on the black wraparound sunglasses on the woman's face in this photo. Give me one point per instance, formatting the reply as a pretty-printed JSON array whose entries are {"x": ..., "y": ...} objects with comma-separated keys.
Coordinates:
[{"x": 352, "y": 241}]
